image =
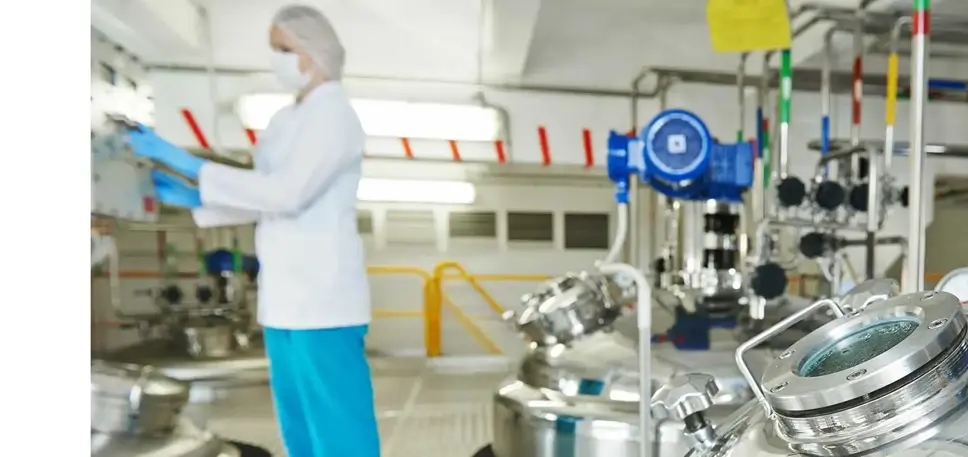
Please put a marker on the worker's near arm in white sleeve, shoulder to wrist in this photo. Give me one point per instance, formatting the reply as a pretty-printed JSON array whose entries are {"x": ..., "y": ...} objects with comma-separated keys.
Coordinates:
[{"x": 326, "y": 143}]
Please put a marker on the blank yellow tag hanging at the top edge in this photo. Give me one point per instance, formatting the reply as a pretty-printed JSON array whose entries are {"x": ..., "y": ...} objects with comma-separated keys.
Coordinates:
[{"x": 748, "y": 25}]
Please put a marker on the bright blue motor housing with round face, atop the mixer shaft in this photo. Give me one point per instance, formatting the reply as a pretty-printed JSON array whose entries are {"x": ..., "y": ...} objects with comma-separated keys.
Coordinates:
[{"x": 676, "y": 155}]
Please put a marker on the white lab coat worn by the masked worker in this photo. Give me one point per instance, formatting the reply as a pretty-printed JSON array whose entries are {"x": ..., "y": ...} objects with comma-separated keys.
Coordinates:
[{"x": 302, "y": 194}]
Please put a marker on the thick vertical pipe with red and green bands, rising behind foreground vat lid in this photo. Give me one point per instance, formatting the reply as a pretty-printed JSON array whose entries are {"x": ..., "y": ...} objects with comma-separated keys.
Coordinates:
[{"x": 920, "y": 42}]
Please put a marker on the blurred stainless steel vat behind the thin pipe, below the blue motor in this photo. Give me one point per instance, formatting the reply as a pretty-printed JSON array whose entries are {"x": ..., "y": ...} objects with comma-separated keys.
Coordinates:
[{"x": 582, "y": 400}]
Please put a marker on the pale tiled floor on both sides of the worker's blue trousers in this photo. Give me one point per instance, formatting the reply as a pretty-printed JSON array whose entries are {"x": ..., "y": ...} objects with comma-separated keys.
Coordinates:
[{"x": 422, "y": 410}]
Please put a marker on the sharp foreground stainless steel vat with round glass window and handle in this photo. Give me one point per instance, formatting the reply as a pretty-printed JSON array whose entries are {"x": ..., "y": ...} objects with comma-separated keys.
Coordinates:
[{"x": 886, "y": 378}]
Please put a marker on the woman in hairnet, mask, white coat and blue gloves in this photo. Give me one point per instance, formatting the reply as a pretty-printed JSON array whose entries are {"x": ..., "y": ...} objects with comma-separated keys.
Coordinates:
[{"x": 313, "y": 295}]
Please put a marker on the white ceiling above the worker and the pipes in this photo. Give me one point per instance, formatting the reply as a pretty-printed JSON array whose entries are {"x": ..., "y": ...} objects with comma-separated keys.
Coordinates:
[{"x": 592, "y": 43}]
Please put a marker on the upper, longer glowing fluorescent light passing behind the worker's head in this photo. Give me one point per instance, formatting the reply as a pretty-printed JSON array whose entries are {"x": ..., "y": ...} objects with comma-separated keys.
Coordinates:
[{"x": 395, "y": 119}]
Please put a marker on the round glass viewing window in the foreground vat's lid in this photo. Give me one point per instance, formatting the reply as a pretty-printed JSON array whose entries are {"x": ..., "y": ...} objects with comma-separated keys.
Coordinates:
[{"x": 858, "y": 347}]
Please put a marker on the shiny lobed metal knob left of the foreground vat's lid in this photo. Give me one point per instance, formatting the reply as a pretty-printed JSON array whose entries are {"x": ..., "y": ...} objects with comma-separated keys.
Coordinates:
[{"x": 684, "y": 396}]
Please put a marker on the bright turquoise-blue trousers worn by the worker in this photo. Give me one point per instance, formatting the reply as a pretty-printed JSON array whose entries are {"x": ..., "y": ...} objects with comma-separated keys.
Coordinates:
[{"x": 323, "y": 392}]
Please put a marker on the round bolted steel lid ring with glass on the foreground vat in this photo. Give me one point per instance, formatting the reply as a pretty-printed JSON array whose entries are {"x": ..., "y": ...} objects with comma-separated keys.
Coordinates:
[{"x": 867, "y": 350}]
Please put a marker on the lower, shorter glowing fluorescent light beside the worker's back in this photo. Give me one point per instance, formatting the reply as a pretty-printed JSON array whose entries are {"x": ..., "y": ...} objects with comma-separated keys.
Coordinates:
[{"x": 416, "y": 191}]
